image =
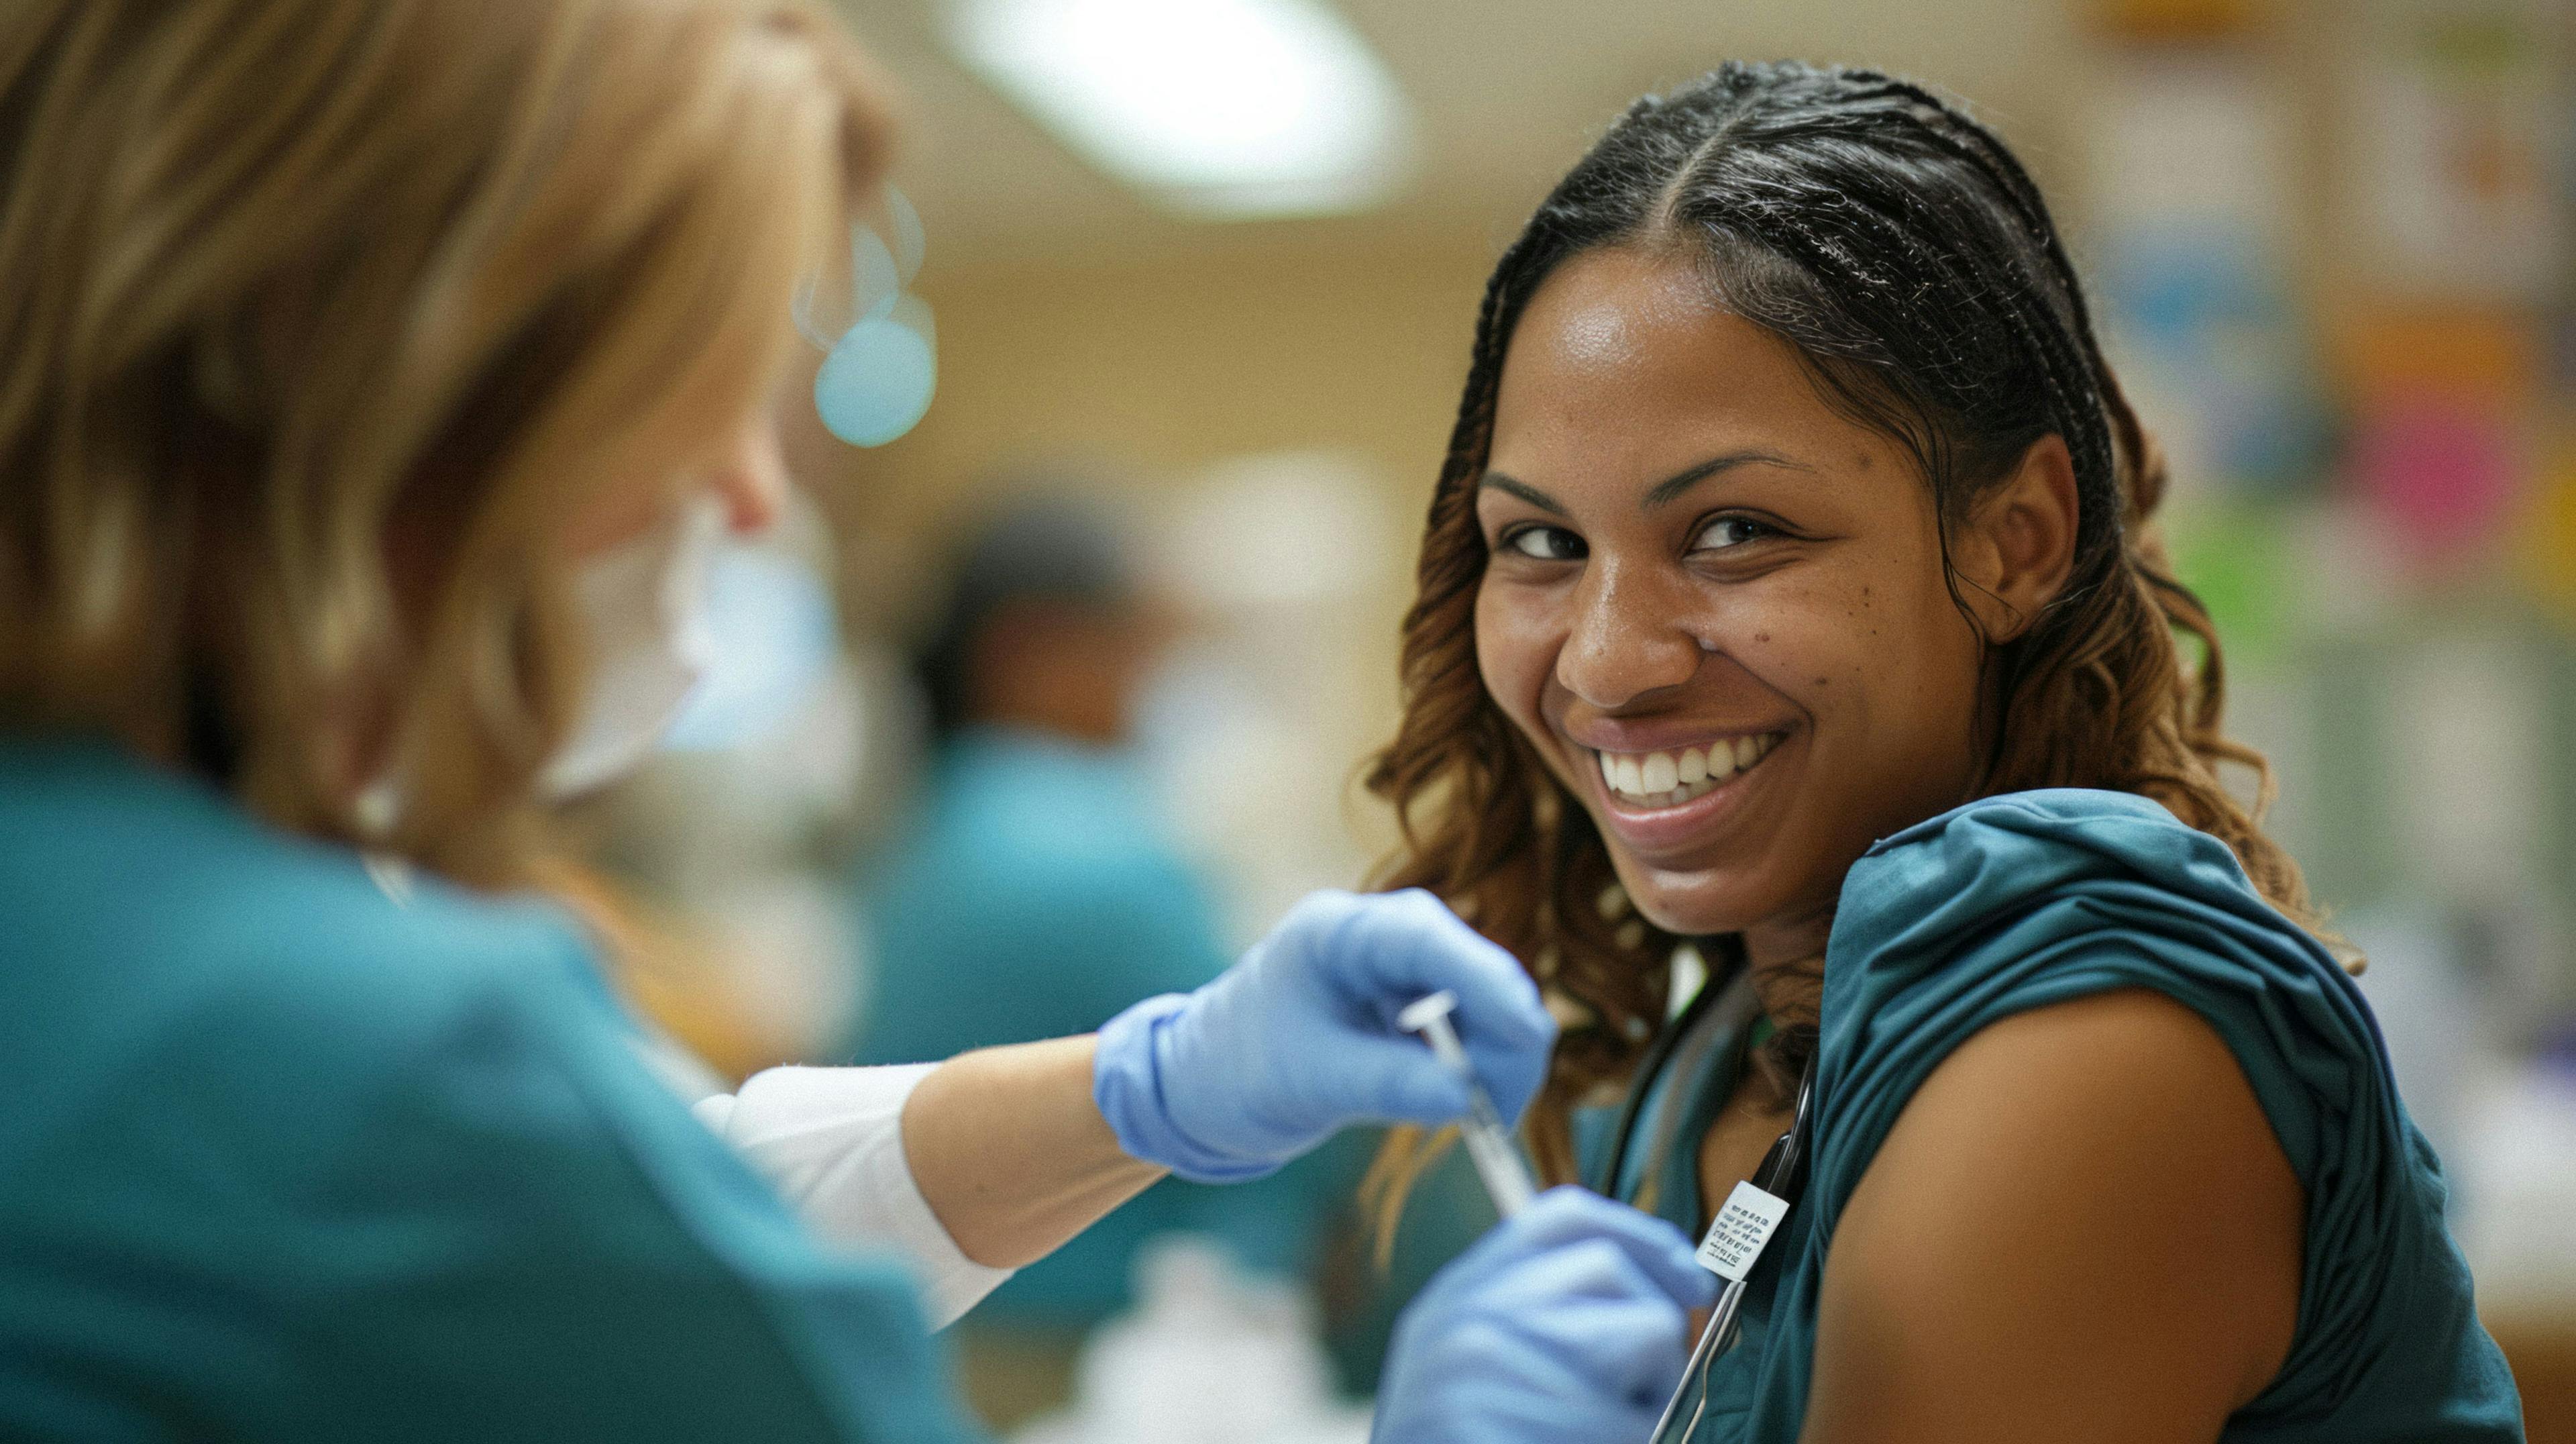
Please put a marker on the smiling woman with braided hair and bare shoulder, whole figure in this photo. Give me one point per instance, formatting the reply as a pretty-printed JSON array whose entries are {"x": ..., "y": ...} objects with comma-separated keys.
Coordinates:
[{"x": 1792, "y": 592}]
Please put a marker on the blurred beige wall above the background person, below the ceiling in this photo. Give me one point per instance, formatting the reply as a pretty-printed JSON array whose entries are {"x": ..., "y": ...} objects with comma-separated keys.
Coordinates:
[{"x": 1158, "y": 367}]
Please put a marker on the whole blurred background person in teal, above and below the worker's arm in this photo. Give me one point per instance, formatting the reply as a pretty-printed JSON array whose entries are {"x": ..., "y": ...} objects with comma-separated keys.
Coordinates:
[{"x": 1039, "y": 886}]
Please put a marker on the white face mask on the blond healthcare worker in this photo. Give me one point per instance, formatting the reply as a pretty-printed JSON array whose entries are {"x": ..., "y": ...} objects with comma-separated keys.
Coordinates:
[{"x": 645, "y": 610}]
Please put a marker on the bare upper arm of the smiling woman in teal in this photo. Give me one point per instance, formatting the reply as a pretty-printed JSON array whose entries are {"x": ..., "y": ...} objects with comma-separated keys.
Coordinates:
[{"x": 2080, "y": 1229}]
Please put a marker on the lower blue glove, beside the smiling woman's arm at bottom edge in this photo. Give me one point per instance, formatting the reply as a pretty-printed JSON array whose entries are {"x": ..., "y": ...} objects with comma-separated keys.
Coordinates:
[{"x": 1562, "y": 1327}]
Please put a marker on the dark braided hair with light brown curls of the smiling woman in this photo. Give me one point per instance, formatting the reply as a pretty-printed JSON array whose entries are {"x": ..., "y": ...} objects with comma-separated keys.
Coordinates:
[{"x": 1910, "y": 262}]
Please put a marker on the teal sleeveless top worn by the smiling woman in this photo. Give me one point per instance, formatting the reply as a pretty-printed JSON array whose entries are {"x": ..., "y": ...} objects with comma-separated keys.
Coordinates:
[{"x": 2039, "y": 899}]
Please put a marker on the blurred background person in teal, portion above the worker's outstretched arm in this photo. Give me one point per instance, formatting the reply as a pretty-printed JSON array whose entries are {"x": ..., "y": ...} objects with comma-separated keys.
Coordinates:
[{"x": 1034, "y": 881}]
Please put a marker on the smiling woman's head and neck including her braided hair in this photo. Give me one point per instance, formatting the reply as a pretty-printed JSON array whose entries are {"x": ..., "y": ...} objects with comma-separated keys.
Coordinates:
[{"x": 1786, "y": 427}]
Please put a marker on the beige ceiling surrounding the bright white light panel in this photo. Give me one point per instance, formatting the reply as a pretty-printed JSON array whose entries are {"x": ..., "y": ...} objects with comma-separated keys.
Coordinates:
[{"x": 1506, "y": 94}]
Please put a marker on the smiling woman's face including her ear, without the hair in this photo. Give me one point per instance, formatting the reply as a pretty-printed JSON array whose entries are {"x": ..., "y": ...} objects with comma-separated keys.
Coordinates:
[{"x": 1730, "y": 571}]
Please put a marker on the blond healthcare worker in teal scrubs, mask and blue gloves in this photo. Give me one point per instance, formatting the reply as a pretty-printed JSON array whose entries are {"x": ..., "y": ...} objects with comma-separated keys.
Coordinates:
[{"x": 372, "y": 378}]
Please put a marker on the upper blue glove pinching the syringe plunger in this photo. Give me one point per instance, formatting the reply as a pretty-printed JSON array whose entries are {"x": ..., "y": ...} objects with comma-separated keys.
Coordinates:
[{"x": 1300, "y": 1038}]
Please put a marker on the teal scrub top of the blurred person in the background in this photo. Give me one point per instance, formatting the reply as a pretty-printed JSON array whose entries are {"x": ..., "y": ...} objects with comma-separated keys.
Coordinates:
[{"x": 1034, "y": 893}]
